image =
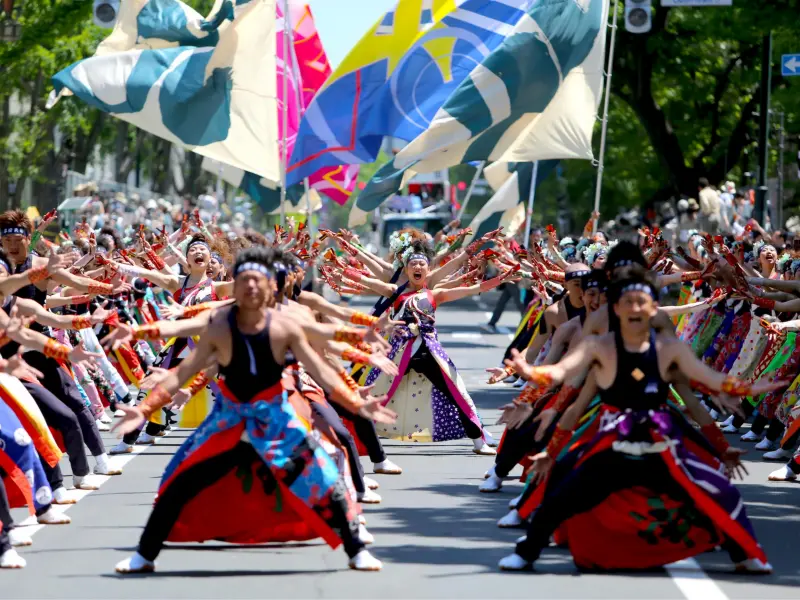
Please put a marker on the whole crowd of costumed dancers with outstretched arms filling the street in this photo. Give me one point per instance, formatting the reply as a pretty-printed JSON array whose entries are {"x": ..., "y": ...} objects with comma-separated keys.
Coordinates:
[{"x": 615, "y": 423}]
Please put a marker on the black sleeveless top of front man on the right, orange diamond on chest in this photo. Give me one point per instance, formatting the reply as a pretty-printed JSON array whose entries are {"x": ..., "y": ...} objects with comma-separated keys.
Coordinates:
[{"x": 638, "y": 384}]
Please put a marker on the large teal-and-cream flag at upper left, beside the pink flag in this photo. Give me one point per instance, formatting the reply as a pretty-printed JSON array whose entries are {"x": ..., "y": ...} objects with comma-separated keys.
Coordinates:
[{"x": 207, "y": 84}]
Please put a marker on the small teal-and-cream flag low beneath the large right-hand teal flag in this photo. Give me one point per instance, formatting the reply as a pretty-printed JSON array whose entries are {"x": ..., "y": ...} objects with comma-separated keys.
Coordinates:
[{"x": 508, "y": 206}]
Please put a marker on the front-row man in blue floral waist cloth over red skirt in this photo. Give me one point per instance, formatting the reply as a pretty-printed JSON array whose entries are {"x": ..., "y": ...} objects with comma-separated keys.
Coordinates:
[{"x": 252, "y": 427}]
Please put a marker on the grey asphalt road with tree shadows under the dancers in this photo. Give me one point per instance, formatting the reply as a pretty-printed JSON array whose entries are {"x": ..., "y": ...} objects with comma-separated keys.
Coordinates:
[{"x": 435, "y": 533}]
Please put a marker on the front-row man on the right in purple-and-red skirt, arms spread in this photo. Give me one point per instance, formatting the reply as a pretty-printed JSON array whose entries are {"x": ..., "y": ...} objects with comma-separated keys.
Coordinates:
[{"x": 640, "y": 446}]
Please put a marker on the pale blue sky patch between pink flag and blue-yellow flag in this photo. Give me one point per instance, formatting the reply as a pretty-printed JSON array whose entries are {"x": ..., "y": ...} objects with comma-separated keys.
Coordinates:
[{"x": 341, "y": 23}]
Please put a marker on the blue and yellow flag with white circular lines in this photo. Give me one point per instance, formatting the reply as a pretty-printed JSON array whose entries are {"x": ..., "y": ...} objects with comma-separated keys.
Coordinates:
[{"x": 396, "y": 78}]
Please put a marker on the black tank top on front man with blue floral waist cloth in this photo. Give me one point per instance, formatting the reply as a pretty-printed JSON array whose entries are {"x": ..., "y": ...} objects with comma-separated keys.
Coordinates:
[{"x": 252, "y": 368}]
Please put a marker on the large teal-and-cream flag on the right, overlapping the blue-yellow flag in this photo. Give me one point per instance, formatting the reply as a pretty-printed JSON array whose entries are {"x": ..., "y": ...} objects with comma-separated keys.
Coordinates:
[{"x": 535, "y": 97}]
